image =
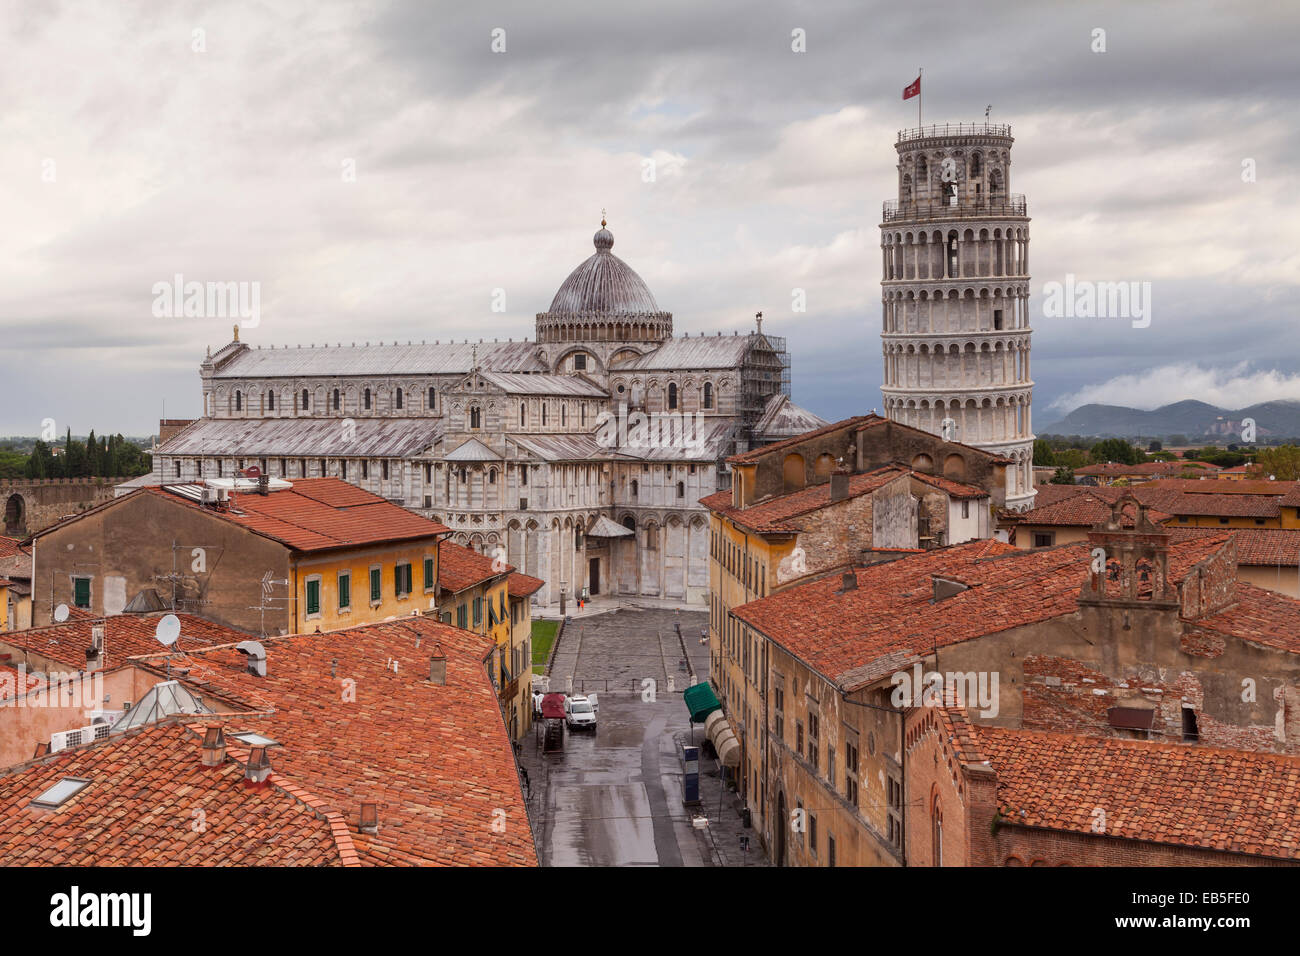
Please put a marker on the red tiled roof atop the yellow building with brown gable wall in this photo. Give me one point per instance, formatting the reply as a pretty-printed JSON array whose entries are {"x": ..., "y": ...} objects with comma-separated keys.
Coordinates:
[{"x": 319, "y": 514}]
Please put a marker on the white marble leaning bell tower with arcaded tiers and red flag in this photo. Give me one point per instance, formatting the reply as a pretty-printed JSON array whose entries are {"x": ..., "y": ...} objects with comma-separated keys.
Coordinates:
[{"x": 956, "y": 292}]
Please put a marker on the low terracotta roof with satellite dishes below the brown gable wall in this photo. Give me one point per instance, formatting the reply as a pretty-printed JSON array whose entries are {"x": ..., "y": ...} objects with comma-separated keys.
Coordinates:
[{"x": 125, "y": 637}]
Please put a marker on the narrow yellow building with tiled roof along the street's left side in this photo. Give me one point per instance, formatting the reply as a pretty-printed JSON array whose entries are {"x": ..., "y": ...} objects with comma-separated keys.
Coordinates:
[{"x": 474, "y": 594}]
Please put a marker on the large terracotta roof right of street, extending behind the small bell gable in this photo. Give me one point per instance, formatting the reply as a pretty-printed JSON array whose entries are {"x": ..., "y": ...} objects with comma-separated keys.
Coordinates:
[{"x": 864, "y": 635}]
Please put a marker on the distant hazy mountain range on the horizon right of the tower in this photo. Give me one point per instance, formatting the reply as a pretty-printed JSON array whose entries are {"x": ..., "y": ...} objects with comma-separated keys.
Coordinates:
[{"x": 1194, "y": 419}]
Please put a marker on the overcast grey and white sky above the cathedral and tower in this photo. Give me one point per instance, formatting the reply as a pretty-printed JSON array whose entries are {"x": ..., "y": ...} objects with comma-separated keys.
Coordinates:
[{"x": 380, "y": 171}]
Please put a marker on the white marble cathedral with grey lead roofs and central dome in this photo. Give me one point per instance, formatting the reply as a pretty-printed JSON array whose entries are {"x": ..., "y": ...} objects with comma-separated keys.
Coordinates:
[{"x": 500, "y": 440}]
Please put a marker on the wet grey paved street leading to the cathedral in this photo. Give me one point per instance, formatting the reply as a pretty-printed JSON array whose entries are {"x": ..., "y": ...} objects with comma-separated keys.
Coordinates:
[{"x": 614, "y": 798}]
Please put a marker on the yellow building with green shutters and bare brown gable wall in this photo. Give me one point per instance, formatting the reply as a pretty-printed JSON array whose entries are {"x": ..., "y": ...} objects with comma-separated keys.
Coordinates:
[{"x": 313, "y": 556}]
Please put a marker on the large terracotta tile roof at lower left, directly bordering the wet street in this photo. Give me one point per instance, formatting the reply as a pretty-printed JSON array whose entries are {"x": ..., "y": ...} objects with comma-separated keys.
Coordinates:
[{"x": 437, "y": 759}]
